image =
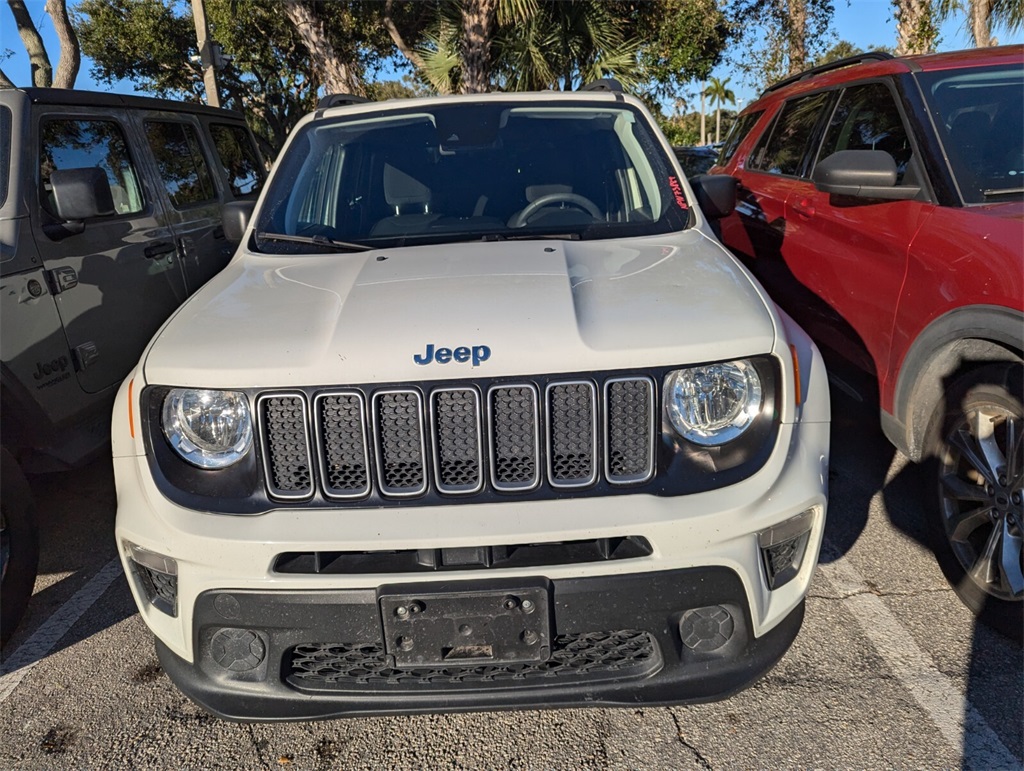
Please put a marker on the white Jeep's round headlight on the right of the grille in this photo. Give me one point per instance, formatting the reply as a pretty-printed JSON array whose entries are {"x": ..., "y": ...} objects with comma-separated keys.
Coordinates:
[{"x": 715, "y": 404}]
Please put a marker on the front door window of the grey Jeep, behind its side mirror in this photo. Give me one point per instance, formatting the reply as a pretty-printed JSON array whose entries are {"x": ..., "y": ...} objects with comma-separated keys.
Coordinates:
[{"x": 77, "y": 145}]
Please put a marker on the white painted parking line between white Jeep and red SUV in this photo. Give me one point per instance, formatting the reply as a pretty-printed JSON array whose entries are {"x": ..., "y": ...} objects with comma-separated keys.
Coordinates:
[{"x": 950, "y": 710}]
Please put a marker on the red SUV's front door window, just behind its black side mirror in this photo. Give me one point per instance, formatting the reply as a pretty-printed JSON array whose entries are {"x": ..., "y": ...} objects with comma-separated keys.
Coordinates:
[{"x": 867, "y": 118}]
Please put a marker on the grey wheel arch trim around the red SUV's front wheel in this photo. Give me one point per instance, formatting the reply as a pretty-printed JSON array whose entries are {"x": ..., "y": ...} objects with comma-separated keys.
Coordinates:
[{"x": 955, "y": 344}]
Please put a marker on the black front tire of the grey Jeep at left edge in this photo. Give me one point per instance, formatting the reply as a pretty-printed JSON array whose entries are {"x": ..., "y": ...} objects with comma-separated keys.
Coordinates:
[{"x": 19, "y": 545}]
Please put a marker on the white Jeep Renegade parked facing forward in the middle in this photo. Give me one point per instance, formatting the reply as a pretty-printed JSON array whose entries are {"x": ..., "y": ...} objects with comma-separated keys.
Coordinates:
[{"x": 482, "y": 415}]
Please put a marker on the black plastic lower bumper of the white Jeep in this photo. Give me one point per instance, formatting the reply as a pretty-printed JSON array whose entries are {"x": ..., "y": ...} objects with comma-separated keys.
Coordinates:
[{"x": 672, "y": 637}]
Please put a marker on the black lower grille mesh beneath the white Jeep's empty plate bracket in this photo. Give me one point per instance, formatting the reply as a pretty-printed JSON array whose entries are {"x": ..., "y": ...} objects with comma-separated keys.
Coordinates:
[{"x": 586, "y": 657}]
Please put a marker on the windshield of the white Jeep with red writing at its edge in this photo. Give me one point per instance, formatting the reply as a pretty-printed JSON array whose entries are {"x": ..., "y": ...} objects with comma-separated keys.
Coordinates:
[{"x": 471, "y": 172}]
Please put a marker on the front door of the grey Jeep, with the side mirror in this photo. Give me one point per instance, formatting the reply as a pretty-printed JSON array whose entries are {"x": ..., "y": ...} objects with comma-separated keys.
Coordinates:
[{"x": 117, "y": 280}]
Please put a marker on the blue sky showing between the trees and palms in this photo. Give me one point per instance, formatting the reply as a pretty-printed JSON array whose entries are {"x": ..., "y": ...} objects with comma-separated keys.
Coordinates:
[{"x": 867, "y": 24}]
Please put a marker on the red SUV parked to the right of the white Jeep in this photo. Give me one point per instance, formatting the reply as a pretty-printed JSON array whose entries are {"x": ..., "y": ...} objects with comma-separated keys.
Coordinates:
[{"x": 881, "y": 202}]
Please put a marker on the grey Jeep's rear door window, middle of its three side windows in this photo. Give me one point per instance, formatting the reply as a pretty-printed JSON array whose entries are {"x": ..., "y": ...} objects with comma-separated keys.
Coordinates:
[{"x": 180, "y": 159}]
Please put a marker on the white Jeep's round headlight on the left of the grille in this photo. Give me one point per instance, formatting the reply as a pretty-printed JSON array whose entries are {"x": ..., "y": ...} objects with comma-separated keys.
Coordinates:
[{"x": 210, "y": 430}]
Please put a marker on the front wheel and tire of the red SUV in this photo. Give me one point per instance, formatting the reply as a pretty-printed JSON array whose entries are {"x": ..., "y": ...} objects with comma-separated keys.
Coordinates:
[{"x": 977, "y": 484}]
